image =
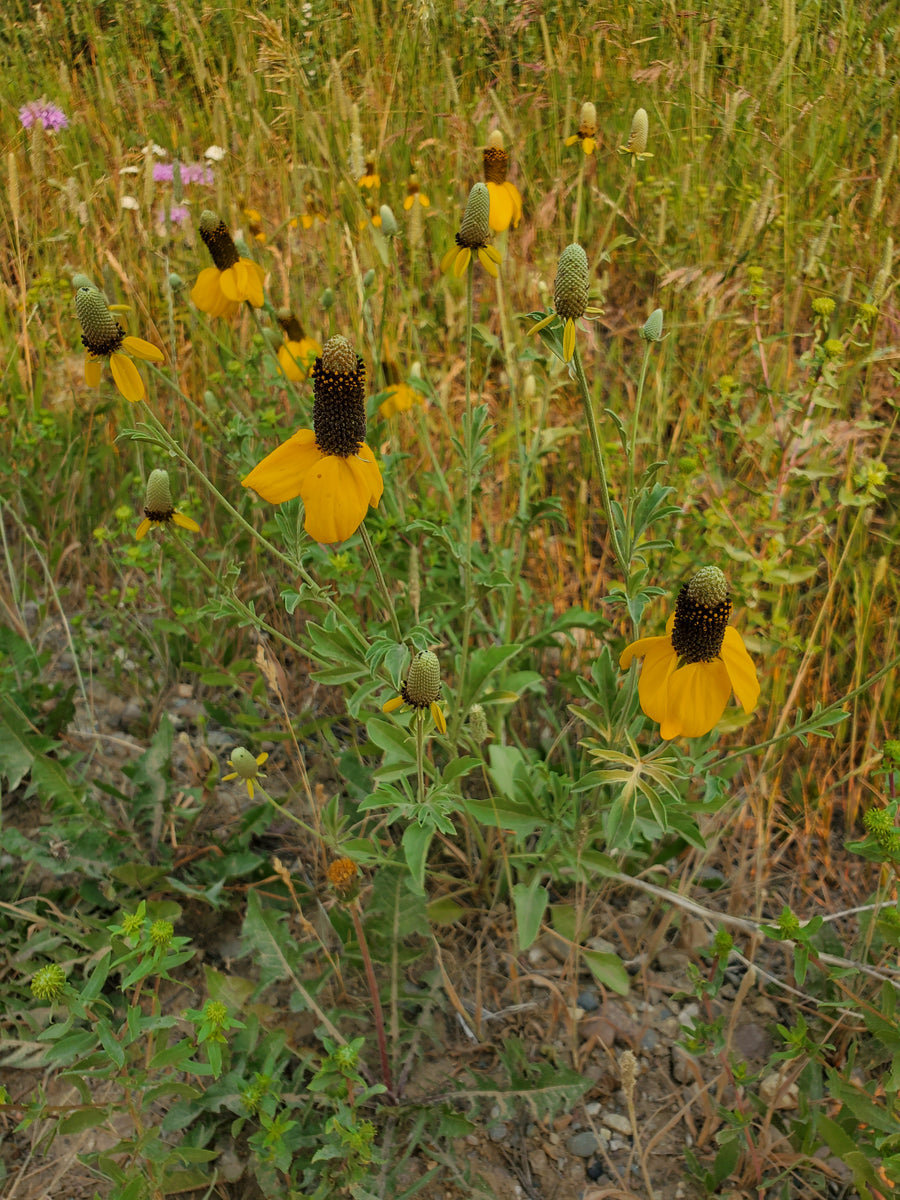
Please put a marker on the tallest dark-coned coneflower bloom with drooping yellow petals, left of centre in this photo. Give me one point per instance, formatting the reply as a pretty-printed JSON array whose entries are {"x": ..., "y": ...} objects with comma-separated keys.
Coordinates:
[{"x": 329, "y": 467}]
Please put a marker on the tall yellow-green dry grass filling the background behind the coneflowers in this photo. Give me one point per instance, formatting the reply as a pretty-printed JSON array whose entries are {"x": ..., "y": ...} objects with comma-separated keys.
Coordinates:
[{"x": 772, "y": 185}]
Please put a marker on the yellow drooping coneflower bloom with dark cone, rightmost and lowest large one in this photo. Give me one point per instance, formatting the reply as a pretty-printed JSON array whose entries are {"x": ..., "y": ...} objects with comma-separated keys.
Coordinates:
[{"x": 689, "y": 675}]
